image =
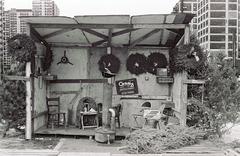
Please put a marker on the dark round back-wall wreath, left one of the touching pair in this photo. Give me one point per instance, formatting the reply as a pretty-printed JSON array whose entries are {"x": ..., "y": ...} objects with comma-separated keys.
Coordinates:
[{"x": 137, "y": 64}]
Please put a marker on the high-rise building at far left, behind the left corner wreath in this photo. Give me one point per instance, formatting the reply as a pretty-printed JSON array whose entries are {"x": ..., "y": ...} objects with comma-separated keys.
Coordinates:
[{"x": 12, "y": 25}]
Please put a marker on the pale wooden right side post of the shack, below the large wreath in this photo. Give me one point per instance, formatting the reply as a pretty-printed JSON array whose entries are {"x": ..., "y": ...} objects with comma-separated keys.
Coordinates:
[{"x": 180, "y": 96}]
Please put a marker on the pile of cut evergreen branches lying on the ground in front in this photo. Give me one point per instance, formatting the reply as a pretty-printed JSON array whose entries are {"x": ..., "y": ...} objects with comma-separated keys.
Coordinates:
[{"x": 154, "y": 141}]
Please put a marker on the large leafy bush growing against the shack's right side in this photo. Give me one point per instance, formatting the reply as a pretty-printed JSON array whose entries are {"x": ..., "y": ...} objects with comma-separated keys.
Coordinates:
[{"x": 221, "y": 96}]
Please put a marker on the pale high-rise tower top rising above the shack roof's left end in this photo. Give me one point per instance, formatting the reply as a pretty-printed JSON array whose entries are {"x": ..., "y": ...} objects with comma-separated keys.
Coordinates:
[{"x": 44, "y": 8}]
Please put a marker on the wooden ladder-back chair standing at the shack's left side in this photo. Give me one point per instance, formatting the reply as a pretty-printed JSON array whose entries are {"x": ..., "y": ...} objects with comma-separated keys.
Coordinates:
[{"x": 54, "y": 115}]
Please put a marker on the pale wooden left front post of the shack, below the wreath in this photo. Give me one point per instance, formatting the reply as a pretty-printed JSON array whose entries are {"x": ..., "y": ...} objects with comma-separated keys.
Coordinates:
[{"x": 28, "y": 130}]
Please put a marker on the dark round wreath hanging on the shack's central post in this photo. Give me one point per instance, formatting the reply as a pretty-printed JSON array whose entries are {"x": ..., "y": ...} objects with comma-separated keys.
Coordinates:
[{"x": 109, "y": 65}]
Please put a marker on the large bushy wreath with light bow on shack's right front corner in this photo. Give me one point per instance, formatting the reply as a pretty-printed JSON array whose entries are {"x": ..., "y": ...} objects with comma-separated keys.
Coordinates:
[{"x": 188, "y": 58}]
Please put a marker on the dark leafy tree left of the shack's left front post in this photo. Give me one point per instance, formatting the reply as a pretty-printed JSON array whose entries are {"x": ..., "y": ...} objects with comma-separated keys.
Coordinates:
[{"x": 12, "y": 104}]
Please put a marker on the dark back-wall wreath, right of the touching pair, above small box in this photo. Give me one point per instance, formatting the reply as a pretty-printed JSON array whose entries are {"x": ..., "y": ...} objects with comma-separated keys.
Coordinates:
[{"x": 155, "y": 61}]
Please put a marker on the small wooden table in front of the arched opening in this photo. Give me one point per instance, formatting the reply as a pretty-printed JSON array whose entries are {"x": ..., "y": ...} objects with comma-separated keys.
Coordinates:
[{"x": 88, "y": 115}]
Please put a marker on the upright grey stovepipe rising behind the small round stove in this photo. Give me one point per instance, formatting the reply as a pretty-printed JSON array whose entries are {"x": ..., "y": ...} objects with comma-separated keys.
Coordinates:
[{"x": 107, "y": 103}]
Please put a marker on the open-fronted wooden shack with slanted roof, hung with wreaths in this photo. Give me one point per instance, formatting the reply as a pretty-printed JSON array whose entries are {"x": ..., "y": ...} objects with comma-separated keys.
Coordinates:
[{"x": 84, "y": 40}]
